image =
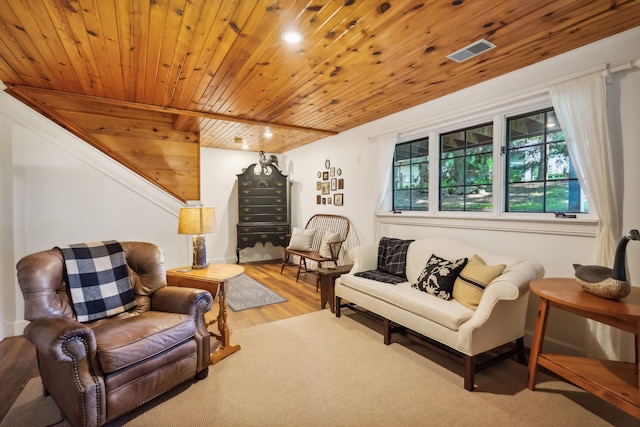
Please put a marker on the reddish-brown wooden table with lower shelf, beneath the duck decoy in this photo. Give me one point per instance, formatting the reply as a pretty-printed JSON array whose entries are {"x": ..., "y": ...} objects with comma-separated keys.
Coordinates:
[{"x": 613, "y": 381}]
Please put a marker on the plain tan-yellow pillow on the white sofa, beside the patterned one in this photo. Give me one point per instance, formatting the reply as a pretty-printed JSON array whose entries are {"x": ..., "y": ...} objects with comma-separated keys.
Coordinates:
[{"x": 473, "y": 280}]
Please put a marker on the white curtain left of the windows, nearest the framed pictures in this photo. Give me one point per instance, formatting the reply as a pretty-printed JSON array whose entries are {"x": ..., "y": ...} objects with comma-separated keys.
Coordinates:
[{"x": 384, "y": 148}]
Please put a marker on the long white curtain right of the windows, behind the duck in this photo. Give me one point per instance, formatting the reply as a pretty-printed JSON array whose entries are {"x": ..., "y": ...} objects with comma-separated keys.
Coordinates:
[{"x": 581, "y": 109}]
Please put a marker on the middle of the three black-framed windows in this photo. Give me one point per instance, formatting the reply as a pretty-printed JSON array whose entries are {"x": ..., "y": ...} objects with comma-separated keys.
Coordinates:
[{"x": 466, "y": 169}]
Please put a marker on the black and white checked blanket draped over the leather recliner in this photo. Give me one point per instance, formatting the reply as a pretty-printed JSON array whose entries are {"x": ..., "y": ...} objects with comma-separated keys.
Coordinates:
[{"x": 98, "y": 279}]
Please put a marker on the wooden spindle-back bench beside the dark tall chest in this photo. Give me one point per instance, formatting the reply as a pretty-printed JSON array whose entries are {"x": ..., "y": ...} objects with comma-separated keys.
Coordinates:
[{"x": 321, "y": 223}]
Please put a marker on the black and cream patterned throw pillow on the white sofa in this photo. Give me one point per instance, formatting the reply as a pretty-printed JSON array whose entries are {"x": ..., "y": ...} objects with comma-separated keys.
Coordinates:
[{"x": 439, "y": 275}]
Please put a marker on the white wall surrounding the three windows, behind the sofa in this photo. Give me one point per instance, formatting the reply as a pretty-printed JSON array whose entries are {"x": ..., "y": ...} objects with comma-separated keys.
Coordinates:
[{"x": 556, "y": 244}]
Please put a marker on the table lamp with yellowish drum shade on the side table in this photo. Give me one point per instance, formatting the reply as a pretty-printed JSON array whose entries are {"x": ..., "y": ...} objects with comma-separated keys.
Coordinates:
[{"x": 198, "y": 220}]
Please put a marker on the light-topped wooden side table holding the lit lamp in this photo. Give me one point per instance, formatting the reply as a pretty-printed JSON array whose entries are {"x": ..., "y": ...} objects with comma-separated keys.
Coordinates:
[{"x": 209, "y": 279}]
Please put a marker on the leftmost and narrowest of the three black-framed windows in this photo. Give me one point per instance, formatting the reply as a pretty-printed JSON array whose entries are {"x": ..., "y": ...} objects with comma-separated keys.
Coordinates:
[{"x": 411, "y": 176}]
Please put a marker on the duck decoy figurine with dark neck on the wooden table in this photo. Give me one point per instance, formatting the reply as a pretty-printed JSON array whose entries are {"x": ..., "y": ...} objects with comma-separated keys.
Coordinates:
[{"x": 607, "y": 282}]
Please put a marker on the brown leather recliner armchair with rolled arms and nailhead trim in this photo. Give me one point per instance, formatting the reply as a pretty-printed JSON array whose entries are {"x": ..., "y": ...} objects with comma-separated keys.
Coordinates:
[{"x": 100, "y": 370}]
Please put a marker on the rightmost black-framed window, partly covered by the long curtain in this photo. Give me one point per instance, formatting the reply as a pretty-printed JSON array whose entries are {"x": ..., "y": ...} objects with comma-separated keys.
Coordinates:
[{"x": 540, "y": 175}]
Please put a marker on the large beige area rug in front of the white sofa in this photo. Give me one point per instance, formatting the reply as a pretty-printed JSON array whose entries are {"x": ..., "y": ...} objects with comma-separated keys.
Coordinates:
[{"x": 318, "y": 370}]
